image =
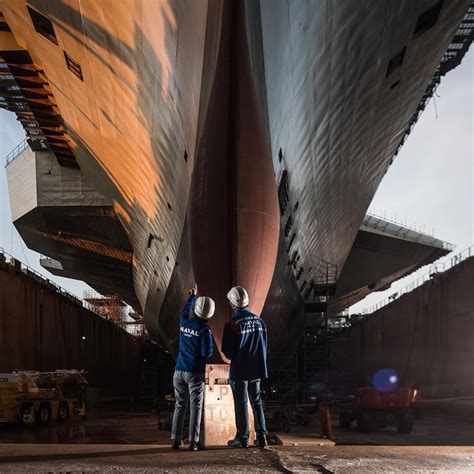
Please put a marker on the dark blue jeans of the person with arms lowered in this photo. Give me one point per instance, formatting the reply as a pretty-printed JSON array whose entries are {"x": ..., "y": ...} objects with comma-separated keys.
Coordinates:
[{"x": 242, "y": 390}]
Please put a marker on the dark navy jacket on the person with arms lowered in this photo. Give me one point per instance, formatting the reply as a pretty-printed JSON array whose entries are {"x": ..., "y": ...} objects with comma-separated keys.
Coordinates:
[{"x": 245, "y": 344}]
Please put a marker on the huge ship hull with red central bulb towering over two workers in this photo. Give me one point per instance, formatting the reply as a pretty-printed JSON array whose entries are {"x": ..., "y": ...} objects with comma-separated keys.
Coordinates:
[{"x": 236, "y": 142}]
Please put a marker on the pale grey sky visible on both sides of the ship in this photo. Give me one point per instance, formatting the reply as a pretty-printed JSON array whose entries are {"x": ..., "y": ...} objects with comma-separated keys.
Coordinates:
[{"x": 429, "y": 185}]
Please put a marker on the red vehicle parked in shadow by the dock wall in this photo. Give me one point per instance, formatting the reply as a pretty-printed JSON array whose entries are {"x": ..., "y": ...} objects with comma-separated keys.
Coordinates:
[{"x": 373, "y": 409}]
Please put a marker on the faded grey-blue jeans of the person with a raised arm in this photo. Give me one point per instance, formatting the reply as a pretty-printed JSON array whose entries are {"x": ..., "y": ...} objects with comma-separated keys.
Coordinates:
[{"x": 187, "y": 385}]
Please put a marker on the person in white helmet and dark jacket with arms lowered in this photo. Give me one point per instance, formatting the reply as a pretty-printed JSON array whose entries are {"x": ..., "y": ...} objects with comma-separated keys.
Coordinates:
[{"x": 244, "y": 343}]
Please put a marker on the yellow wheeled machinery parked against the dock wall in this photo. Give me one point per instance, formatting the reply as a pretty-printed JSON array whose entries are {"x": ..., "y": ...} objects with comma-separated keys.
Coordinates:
[{"x": 38, "y": 397}]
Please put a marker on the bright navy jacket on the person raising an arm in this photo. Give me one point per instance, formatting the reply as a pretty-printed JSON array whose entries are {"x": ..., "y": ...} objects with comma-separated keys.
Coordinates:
[{"x": 195, "y": 341}]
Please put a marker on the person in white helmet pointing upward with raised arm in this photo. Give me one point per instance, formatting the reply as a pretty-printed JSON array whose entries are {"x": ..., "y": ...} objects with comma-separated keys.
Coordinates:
[{"x": 195, "y": 347}]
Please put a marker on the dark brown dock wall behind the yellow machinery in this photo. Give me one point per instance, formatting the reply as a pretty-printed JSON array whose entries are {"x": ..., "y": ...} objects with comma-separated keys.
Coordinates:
[{"x": 43, "y": 330}]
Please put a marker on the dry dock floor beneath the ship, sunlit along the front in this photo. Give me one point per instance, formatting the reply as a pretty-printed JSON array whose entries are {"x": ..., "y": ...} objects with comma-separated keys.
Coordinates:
[{"x": 125, "y": 440}]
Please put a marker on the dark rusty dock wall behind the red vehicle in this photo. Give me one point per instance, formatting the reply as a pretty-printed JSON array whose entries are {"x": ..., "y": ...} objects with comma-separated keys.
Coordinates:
[{"x": 427, "y": 336}]
